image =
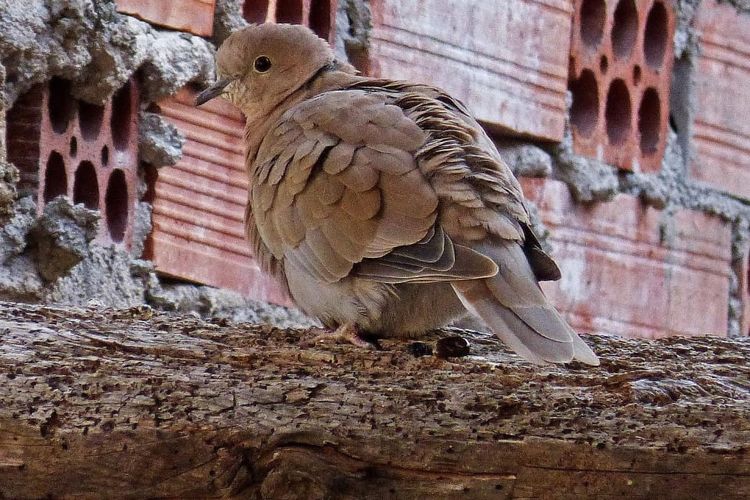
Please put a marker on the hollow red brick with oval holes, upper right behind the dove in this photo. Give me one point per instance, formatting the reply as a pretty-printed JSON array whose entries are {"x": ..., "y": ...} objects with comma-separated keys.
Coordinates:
[{"x": 621, "y": 65}]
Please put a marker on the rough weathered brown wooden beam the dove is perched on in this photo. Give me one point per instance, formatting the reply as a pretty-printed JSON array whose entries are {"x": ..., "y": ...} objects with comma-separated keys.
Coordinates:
[{"x": 97, "y": 404}]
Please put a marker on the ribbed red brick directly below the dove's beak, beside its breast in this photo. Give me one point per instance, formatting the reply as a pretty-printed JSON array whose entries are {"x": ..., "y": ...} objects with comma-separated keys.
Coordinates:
[{"x": 199, "y": 204}]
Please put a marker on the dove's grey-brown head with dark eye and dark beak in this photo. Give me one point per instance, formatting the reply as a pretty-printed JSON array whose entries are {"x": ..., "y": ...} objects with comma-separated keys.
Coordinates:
[{"x": 259, "y": 66}]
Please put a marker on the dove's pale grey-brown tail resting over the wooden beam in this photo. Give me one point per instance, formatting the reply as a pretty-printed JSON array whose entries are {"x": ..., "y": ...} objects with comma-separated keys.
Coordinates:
[{"x": 514, "y": 307}]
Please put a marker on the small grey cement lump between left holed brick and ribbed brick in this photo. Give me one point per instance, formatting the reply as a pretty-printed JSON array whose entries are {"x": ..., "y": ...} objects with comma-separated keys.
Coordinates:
[{"x": 160, "y": 143}]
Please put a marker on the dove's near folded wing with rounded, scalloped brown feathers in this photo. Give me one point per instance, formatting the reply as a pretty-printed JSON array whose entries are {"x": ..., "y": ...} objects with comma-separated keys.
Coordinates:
[{"x": 336, "y": 191}]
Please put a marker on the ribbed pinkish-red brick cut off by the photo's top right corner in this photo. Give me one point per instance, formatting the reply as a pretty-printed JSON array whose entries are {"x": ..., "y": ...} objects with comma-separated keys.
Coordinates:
[{"x": 721, "y": 130}]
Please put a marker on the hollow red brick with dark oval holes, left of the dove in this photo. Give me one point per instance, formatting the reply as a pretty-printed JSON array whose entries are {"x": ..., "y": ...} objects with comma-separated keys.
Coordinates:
[{"x": 67, "y": 147}]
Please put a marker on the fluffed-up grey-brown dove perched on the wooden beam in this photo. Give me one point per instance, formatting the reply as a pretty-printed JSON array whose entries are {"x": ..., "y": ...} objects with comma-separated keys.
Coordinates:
[{"x": 382, "y": 206}]
